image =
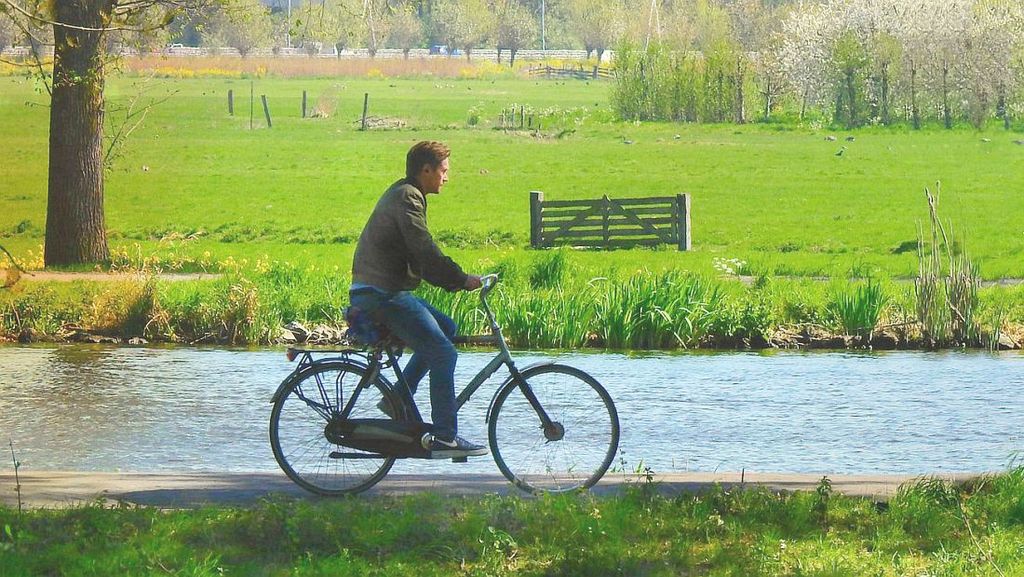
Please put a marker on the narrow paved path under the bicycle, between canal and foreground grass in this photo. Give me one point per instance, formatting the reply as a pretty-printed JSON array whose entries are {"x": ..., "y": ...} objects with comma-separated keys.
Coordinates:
[{"x": 52, "y": 489}]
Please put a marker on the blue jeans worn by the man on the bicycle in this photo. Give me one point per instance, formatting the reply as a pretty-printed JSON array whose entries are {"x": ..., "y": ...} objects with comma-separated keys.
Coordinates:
[{"x": 429, "y": 333}]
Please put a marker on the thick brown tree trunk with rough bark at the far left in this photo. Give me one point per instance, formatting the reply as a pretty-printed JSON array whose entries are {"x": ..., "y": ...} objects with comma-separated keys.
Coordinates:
[{"x": 76, "y": 231}]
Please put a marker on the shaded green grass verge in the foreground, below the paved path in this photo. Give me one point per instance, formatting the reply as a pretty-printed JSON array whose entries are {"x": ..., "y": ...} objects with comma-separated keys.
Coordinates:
[{"x": 930, "y": 528}]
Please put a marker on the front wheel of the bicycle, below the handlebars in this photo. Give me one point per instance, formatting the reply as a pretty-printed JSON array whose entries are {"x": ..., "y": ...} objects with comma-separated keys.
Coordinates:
[{"x": 577, "y": 447}]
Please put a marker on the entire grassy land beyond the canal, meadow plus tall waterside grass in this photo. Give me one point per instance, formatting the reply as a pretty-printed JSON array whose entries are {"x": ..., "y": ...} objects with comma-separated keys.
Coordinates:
[{"x": 280, "y": 210}]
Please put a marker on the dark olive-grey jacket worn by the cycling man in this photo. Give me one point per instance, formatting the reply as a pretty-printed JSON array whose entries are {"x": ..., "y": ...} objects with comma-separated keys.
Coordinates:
[{"x": 396, "y": 250}]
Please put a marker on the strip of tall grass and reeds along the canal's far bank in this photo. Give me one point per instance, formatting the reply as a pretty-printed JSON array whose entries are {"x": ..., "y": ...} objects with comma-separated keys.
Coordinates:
[{"x": 546, "y": 301}]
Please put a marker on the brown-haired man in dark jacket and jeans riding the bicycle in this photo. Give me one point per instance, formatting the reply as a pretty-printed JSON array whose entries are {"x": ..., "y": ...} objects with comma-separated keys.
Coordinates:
[{"x": 395, "y": 253}]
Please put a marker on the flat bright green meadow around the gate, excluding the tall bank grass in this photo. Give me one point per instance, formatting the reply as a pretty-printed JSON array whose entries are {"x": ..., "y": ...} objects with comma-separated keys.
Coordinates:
[{"x": 776, "y": 197}]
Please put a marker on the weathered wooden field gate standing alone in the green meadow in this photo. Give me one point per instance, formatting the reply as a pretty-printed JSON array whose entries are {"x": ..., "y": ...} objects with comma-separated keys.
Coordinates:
[{"x": 610, "y": 224}]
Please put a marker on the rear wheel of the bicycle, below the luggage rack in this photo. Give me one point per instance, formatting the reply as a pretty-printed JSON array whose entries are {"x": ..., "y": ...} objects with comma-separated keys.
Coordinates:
[{"x": 301, "y": 417}]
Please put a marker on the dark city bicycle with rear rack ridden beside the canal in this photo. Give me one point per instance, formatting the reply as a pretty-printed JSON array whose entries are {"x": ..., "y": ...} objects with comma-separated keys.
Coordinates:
[{"x": 338, "y": 425}]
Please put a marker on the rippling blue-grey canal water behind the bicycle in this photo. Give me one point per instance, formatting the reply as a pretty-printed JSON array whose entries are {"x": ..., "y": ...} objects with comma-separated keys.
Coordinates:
[{"x": 153, "y": 409}]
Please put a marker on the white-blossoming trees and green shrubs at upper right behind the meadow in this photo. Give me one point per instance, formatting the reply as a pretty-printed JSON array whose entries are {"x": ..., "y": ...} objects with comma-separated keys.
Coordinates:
[{"x": 849, "y": 62}]
